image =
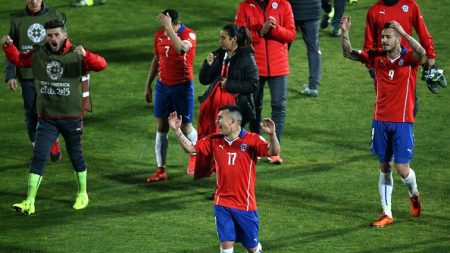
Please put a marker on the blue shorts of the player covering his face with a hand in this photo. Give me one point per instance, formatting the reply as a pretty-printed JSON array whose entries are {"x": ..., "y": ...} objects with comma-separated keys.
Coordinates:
[{"x": 179, "y": 98}]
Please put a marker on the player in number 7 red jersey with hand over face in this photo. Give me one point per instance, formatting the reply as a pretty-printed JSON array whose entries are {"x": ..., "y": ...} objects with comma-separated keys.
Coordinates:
[{"x": 173, "y": 61}]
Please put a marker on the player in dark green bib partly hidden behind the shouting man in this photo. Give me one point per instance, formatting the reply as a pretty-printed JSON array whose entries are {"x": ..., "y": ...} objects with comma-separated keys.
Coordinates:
[{"x": 27, "y": 30}]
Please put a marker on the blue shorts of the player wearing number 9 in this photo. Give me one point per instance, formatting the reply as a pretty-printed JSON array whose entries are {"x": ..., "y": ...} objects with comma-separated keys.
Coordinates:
[{"x": 392, "y": 139}]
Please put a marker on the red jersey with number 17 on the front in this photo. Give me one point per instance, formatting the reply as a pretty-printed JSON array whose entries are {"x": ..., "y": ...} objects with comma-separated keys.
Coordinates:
[{"x": 235, "y": 167}]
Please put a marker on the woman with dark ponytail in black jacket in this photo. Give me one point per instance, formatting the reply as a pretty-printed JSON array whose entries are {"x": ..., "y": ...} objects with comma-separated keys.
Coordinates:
[{"x": 233, "y": 67}]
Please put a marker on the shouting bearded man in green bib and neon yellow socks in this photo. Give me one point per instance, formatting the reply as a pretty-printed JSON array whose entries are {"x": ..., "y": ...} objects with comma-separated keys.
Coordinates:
[{"x": 57, "y": 69}]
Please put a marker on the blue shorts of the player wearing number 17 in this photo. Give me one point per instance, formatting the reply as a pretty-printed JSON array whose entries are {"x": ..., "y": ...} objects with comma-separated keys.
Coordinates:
[{"x": 237, "y": 225}]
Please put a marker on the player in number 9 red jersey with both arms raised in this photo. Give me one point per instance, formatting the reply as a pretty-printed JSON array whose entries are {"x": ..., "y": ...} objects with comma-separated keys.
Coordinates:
[{"x": 392, "y": 127}]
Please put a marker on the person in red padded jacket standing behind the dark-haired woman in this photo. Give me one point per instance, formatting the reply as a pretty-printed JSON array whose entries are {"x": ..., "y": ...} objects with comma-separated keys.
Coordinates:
[{"x": 272, "y": 27}]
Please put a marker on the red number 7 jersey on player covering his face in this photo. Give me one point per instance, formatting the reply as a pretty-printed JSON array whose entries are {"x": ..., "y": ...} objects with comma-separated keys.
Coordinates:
[{"x": 175, "y": 68}]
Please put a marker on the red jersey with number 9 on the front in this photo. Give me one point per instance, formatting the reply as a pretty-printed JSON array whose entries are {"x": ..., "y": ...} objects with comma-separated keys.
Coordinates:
[{"x": 395, "y": 85}]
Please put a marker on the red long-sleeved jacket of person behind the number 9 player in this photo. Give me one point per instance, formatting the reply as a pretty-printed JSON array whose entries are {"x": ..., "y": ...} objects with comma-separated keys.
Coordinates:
[{"x": 405, "y": 12}]
